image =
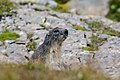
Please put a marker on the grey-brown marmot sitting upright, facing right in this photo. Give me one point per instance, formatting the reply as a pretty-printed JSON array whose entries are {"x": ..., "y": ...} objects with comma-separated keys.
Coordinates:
[{"x": 49, "y": 50}]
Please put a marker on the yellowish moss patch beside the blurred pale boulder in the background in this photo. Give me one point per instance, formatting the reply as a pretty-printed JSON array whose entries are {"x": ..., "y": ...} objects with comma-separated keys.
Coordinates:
[{"x": 62, "y": 8}]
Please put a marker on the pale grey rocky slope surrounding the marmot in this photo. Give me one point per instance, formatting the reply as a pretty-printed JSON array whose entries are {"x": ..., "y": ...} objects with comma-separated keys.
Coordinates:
[{"x": 33, "y": 21}]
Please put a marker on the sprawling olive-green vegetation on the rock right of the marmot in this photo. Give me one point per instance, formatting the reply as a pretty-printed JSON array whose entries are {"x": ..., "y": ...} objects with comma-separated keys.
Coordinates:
[{"x": 98, "y": 28}]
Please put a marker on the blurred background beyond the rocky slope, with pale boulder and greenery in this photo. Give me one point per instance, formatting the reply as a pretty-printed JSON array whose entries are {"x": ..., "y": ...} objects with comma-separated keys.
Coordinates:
[{"x": 107, "y": 8}]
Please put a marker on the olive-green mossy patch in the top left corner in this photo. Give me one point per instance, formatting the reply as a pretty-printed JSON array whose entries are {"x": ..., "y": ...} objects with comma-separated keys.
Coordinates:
[{"x": 5, "y": 6}]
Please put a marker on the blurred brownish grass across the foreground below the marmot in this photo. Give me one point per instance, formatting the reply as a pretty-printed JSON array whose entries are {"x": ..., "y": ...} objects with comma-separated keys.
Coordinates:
[{"x": 41, "y": 72}]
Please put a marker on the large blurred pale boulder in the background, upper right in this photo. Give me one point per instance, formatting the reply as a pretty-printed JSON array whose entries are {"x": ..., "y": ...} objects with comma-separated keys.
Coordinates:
[{"x": 90, "y": 7}]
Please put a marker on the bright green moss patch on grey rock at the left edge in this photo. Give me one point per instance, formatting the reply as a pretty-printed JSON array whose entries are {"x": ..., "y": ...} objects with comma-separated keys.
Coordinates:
[{"x": 7, "y": 35}]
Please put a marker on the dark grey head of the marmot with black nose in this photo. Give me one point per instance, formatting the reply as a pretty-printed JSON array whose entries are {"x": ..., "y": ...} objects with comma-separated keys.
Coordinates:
[{"x": 56, "y": 36}]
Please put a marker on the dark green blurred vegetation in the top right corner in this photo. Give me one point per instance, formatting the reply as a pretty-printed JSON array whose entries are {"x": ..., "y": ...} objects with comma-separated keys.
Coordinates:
[{"x": 114, "y": 10}]
